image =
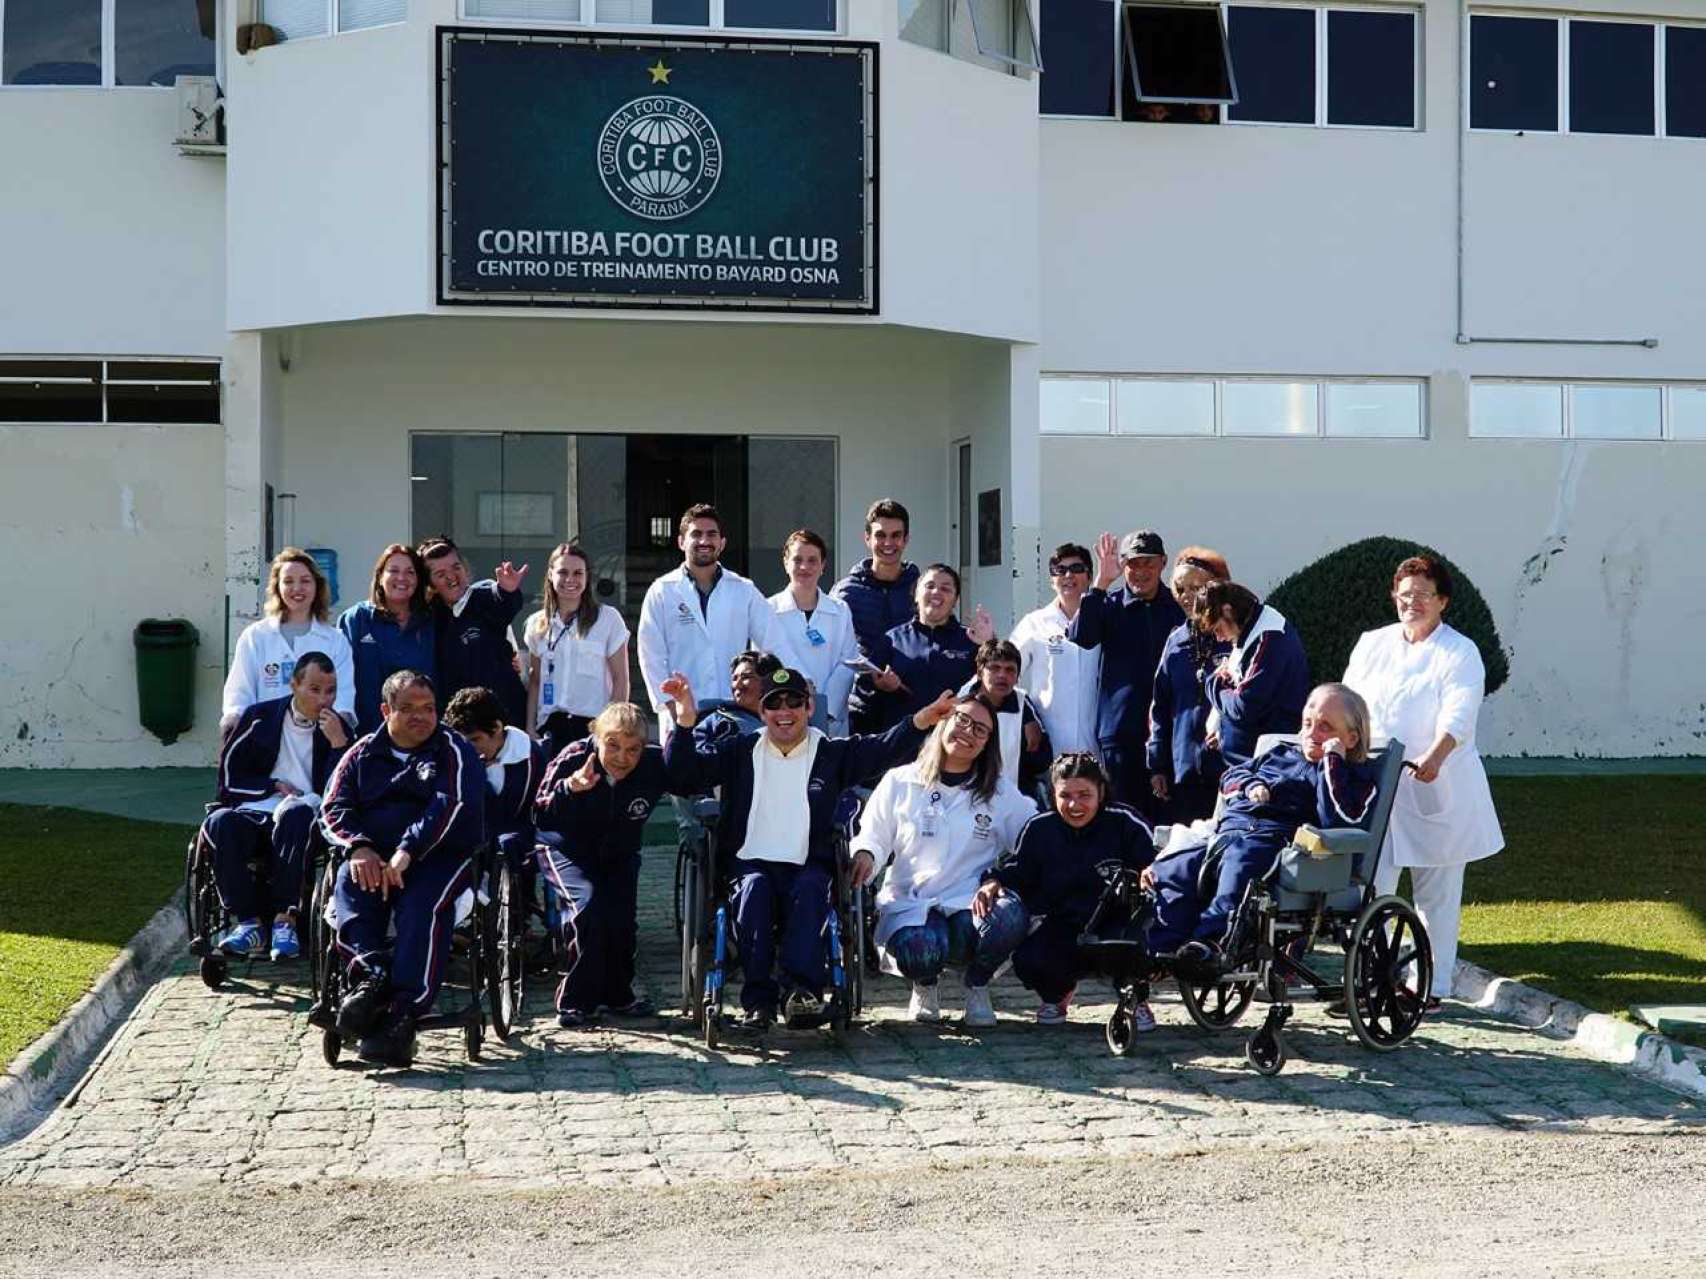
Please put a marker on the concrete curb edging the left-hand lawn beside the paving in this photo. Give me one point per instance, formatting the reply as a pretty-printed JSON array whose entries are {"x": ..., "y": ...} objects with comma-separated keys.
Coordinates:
[{"x": 50, "y": 1067}]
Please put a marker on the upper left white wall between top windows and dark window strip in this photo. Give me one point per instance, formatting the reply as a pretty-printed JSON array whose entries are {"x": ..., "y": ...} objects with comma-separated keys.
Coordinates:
[{"x": 112, "y": 243}]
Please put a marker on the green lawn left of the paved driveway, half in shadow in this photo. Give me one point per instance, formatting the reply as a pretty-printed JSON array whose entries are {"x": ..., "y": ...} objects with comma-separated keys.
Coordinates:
[{"x": 74, "y": 888}]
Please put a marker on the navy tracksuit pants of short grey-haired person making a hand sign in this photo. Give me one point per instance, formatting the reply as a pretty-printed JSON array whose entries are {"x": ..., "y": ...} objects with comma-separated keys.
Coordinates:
[{"x": 596, "y": 927}]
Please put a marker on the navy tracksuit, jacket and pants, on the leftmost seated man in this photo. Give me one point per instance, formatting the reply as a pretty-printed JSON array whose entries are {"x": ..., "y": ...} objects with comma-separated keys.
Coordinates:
[{"x": 282, "y": 838}]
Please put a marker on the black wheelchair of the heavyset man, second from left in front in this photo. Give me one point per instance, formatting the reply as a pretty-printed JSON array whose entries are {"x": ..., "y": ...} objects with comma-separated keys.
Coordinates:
[{"x": 490, "y": 971}]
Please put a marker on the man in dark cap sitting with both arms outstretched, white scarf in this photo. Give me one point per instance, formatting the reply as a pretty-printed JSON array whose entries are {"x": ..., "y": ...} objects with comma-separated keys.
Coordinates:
[{"x": 779, "y": 804}]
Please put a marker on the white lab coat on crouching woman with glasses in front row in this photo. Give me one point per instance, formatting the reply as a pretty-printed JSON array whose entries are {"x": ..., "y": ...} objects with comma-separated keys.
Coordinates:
[{"x": 937, "y": 871}]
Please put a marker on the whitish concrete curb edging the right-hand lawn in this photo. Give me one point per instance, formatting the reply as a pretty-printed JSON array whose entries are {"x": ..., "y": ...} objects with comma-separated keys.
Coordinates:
[{"x": 1599, "y": 1036}]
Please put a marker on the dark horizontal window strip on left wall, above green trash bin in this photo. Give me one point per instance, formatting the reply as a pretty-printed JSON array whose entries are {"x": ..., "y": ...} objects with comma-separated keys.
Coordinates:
[{"x": 119, "y": 391}]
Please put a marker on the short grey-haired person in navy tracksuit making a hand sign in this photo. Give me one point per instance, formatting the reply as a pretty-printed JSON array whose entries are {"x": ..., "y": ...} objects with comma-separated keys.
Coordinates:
[{"x": 591, "y": 813}]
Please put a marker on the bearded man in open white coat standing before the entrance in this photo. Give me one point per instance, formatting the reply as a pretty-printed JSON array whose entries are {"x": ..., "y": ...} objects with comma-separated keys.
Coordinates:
[{"x": 697, "y": 618}]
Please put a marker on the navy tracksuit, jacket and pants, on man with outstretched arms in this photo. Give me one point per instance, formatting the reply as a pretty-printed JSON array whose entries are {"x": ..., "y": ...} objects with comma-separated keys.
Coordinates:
[{"x": 767, "y": 889}]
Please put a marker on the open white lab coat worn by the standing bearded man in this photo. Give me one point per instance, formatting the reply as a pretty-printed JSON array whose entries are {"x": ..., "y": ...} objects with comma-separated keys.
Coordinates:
[{"x": 675, "y": 635}]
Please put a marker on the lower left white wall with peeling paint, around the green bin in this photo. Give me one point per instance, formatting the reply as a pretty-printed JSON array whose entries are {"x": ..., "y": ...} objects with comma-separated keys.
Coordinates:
[{"x": 105, "y": 526}]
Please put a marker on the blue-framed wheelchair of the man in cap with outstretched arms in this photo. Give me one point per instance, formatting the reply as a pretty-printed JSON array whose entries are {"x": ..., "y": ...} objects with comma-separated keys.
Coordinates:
[{"x": 709, "y": 937}]
